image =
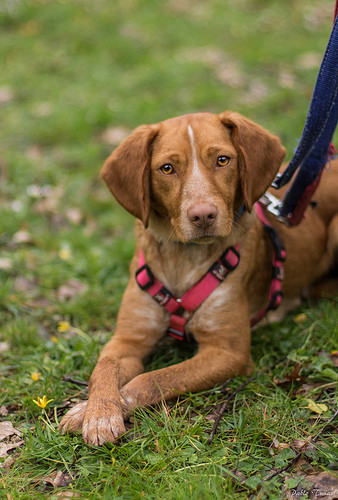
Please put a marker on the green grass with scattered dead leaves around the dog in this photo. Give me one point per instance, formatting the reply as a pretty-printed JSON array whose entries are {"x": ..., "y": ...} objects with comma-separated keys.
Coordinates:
[{"x": 70, "y": 71}]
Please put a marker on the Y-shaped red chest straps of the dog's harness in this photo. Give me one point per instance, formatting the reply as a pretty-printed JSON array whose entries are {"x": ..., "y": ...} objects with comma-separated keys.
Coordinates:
[{"x": 194, "y": 297}]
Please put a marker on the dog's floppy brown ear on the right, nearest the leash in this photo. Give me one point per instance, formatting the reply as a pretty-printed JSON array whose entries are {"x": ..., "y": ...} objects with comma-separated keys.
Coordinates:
[{"x": 260, "y": 155}]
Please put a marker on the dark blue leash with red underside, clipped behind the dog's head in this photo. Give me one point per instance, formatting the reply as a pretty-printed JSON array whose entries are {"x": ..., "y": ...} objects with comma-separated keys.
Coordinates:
[{"x": 313, "y": 150}]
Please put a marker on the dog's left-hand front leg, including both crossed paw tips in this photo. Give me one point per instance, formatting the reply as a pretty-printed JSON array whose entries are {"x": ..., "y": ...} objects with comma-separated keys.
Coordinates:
[{"x": 138, "y": 330}]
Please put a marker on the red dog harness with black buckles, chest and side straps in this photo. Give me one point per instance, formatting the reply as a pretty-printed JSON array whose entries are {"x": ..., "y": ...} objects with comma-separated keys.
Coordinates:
[{"x": 217, "y": 273}]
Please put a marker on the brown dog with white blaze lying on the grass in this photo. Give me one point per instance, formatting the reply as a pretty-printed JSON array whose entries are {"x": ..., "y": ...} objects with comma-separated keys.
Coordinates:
[{"x": 186, "y": 180}]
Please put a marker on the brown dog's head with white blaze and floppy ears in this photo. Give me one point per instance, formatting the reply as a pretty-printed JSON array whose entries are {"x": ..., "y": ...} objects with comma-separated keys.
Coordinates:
[{"x": 188, "y": 176}]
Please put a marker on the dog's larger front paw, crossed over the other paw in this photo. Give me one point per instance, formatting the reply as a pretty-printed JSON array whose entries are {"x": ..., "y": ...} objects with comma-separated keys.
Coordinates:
[{"x": 103, "y": 422}]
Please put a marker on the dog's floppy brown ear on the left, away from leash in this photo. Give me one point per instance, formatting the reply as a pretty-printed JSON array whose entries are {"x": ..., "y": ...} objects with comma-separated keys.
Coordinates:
[{"x": 126, "y": 172}]
